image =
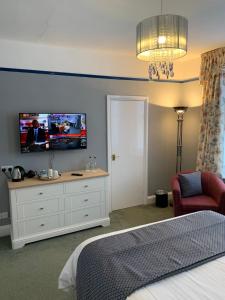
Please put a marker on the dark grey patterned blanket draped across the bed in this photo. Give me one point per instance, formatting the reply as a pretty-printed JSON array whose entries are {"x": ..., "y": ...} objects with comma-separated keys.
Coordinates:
[{"x": 114, "y": 267}]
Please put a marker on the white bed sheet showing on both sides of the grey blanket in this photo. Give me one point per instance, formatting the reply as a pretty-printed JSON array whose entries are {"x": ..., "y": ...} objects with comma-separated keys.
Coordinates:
[{"x": 206, "y": 282}]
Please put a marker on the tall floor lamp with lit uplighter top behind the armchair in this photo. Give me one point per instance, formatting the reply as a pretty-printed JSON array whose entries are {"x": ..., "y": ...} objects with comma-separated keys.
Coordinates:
[{"x": 180, "y": 110}]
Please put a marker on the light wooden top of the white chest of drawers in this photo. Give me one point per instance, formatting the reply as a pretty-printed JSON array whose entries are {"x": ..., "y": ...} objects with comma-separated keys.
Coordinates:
[{"x": 65, "y": 177}]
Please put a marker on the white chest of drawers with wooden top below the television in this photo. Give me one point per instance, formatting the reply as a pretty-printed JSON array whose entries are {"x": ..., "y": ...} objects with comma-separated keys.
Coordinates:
[{"x": 42, "y": 210}]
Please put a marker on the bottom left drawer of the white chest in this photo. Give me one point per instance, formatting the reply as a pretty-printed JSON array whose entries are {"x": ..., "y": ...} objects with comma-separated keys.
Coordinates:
[{"x": 40, "y": 225}]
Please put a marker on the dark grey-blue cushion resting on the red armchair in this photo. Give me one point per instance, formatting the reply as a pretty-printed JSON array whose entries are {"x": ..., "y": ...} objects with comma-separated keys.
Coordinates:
[{"x": 190, "y": 184}]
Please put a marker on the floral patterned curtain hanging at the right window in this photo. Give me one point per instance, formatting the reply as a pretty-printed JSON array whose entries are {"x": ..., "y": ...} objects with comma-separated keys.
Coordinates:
[{"x": 212, "y": 130}]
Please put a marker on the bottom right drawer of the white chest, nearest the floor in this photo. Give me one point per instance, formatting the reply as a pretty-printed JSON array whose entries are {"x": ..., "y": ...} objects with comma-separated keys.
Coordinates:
[{"x": 83, "y": 215}]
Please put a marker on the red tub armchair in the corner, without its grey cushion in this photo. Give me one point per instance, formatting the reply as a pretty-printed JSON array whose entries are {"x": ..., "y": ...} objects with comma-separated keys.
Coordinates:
[{"x": 213, "y": 197}]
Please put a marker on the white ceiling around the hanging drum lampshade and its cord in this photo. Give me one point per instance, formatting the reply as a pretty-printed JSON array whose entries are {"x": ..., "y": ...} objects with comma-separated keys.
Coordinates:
[{"x": 108, "y": 25}]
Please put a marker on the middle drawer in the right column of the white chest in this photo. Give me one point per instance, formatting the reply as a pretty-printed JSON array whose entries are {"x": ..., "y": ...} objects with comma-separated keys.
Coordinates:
[{"x": 74, "y": 202}]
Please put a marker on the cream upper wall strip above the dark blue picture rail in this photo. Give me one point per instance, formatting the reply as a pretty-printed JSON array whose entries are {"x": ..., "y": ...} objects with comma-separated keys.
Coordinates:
[{"x": 36, "y": 56}]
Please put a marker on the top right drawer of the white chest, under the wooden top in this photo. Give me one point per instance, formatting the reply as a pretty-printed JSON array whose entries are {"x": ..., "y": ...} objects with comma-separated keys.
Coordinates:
[{"x": 84, "y": 185}]
